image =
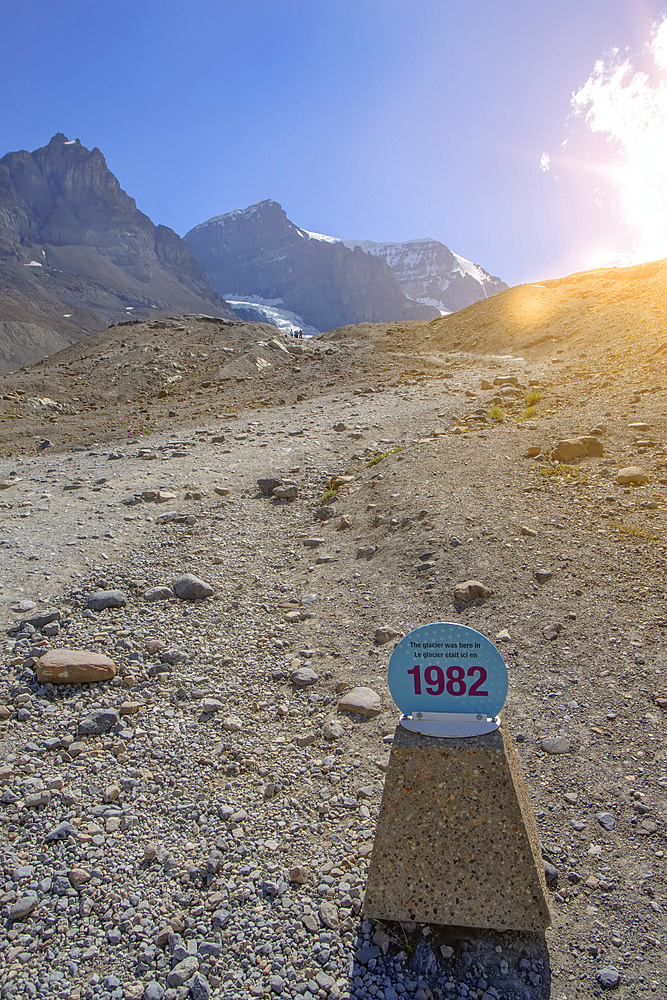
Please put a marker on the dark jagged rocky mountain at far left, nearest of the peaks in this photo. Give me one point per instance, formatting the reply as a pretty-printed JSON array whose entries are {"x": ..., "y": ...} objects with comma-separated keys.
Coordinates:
[{"x": 77, "y": 254}]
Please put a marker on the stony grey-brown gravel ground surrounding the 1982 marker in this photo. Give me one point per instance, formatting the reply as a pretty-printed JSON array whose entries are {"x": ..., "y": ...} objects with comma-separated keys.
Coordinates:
[{"x": 213, "y": 838}]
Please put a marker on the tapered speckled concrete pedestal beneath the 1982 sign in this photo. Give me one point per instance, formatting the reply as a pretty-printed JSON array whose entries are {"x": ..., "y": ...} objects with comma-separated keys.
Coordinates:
[{"x": 456, "y": 842}]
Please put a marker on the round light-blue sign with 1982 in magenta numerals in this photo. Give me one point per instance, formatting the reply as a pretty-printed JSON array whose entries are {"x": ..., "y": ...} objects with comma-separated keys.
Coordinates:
[{"x": 447, "y": 668}]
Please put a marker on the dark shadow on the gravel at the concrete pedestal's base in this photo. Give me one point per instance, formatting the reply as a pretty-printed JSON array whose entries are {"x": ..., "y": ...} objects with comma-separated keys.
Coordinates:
[{"x": 444, "y": 963}]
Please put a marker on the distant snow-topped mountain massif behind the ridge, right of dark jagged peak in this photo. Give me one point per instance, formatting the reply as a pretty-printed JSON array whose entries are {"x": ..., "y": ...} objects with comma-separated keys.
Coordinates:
[{"x": 263, "y": 263}]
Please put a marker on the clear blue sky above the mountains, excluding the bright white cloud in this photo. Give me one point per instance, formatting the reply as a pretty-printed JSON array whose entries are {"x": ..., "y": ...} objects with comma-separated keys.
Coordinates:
[{"x": 364, "y": 118}]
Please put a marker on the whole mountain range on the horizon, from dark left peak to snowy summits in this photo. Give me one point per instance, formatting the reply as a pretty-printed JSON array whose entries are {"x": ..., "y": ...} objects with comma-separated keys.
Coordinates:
[{"x": 77, "y": 255}]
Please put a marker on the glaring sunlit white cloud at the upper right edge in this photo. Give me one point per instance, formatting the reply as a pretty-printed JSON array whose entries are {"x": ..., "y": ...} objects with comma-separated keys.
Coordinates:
[{"x": 628, "y": 106}]
